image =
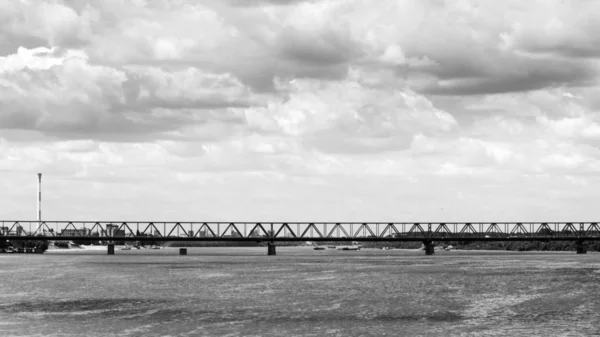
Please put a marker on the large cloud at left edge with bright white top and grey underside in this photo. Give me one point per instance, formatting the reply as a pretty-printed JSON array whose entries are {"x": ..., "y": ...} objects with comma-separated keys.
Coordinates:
[{"x": 64, "y": 95}]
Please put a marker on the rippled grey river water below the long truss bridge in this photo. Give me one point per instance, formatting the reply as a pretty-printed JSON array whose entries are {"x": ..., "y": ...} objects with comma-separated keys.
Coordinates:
[{"x": 299, "y": 292}]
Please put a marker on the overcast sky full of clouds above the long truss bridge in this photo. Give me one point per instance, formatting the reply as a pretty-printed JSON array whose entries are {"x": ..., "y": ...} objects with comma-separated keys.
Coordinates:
[{"x": 290, "y": 110}]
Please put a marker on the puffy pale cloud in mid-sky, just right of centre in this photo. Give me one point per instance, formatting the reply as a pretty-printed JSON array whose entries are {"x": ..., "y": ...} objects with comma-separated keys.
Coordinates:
[{"x": 345, "y": 116}]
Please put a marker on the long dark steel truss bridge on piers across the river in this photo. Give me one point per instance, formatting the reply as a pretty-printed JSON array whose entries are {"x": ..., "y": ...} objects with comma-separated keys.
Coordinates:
[{"x": 272, "y": 232}]
